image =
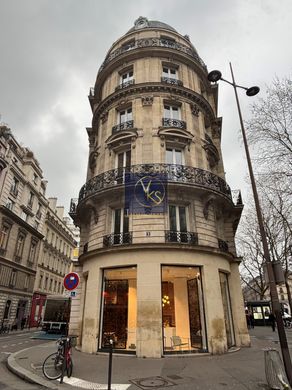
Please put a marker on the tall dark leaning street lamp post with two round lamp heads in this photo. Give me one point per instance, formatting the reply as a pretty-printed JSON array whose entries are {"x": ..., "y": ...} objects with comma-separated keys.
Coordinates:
[{"x": 215, "y": 76}]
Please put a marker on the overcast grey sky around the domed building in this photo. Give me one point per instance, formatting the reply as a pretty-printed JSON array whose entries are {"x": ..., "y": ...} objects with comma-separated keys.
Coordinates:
[{"x": 50, "y": 52}]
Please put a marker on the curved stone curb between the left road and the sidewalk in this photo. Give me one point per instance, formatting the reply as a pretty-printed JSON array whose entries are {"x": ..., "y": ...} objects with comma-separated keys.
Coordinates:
[{"x": 28, "y": 376}]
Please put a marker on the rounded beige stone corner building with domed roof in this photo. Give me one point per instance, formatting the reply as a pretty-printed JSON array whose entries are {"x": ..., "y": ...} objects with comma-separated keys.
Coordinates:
[{"x": 157, "y": 283}]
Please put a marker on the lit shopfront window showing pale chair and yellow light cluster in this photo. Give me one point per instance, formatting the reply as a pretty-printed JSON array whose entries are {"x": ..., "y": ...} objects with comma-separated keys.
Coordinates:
[{"x": 182, "y": 310}]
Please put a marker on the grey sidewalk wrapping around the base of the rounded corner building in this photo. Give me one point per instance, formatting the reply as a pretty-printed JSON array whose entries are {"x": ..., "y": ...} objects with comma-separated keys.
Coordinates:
[{"x": 240, "y": 370}]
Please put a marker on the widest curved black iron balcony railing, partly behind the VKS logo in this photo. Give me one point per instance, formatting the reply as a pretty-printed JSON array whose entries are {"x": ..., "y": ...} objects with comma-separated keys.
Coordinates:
[{"x": 179, "y": 174}]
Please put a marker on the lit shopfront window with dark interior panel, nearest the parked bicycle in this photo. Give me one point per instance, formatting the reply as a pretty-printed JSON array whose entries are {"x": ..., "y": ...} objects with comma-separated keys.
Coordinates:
[{"x": 119, "y": 309}]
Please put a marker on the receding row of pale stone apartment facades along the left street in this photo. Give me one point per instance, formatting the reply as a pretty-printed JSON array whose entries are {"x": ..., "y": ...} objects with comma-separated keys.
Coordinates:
[{"x": 35, "y": 243}]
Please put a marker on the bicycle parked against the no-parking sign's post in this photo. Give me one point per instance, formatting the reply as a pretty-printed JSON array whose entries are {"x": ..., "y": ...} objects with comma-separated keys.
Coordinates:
[{"x": 59, "y": 363}]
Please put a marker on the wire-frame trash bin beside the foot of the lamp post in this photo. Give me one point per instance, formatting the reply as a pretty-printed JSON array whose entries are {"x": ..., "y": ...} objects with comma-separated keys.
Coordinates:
[{"x": 275, "y": 373}]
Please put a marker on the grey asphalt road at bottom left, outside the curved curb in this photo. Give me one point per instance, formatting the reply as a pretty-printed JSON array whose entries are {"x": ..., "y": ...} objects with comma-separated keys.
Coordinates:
[{"x": 10, "y": 343}]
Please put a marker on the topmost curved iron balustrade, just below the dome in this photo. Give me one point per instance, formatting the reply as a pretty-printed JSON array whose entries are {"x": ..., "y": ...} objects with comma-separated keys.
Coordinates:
[{"x": 153, "y": 42}]
